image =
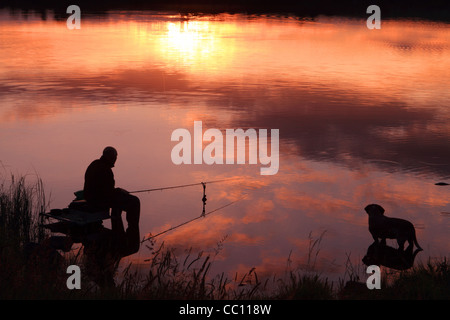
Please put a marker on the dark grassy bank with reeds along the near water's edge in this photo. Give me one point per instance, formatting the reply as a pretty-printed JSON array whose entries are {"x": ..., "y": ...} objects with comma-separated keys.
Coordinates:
[{"x": 171, "y": 275}]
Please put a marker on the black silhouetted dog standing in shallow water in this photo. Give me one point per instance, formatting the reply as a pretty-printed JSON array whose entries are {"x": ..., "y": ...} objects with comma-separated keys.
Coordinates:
[{"x": 383, "y": 227}]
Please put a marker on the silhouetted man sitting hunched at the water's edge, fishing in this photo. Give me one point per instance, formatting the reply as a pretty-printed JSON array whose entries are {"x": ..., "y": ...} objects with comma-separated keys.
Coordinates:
[{"x": 100, "y": 192}]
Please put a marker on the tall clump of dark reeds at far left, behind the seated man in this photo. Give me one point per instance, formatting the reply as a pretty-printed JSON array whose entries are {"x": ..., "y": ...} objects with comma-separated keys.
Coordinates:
[{"x": 21, "y": 203}]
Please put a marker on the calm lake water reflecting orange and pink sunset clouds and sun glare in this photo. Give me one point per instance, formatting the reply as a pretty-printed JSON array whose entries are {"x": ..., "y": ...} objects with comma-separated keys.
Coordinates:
[{"x": 363, "y": 118}]
